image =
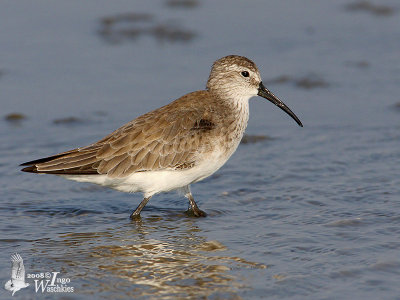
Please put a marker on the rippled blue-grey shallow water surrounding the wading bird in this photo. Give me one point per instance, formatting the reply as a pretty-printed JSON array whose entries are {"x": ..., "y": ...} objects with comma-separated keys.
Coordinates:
[{"x": 305, "y": 213}]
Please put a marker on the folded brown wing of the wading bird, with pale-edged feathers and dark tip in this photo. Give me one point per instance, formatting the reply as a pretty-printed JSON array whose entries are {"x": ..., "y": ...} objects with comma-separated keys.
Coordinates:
[{"x": 170, "y": 137}]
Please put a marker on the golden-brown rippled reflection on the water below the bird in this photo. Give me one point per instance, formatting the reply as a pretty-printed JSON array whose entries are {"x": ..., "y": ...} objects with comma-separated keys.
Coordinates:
[{"x": 156, "y": 255}]
